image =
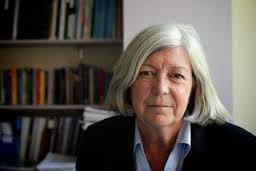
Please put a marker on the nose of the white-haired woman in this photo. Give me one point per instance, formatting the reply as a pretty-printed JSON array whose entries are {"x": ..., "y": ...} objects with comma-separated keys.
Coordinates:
[{"x": 161, "y": 86}]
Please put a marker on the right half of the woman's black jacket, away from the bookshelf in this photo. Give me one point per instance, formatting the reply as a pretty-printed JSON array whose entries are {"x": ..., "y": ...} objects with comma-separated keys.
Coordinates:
[{"x": 219, "y": 142}]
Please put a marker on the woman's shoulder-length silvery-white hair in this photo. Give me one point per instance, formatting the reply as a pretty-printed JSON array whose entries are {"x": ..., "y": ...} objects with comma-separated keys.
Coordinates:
[{"x": 204, "y": 105}]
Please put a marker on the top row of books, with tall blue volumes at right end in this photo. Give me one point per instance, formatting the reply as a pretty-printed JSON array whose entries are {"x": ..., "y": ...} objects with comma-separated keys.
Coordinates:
[{"x": 60, "y": 19}]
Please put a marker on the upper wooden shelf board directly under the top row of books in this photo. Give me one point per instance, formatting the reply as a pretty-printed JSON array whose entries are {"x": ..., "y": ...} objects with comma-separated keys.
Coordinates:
[{"x": 46, "y": 42}]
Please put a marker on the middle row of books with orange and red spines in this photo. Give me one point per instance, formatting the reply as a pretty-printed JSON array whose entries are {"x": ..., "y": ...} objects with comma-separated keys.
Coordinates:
[{"x": 83, "y": 84}]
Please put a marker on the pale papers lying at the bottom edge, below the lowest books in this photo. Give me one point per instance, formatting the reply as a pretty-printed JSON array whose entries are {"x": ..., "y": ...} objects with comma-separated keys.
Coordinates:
[{"x": 57, "y": 162}]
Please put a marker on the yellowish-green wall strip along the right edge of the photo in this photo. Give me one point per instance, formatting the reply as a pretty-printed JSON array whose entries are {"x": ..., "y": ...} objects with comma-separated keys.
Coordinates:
[{"x": 244, "y": 61}]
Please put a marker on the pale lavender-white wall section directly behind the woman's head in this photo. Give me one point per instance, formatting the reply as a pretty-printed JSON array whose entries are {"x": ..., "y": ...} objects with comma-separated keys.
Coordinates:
[{"x": 212, "y": 20}]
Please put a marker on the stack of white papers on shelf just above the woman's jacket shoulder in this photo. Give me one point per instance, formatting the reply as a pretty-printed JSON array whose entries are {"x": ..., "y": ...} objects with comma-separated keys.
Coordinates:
[{"x": 94, "y": 114}]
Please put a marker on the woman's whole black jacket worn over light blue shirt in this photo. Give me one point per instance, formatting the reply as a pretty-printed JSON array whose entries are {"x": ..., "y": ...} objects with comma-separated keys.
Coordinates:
[{"x": 108, "y": 146}]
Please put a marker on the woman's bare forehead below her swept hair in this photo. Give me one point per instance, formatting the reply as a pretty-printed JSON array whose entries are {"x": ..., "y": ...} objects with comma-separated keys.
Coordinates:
[{"x": 176, "y": 56}]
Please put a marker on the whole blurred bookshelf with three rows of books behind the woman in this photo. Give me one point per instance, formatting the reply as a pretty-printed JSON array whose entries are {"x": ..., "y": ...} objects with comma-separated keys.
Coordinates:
[{"x": 63, "y": 47}]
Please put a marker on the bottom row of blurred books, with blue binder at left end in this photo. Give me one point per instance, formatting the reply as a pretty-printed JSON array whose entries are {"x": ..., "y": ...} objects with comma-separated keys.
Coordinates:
[{"x": 28, "y": 139}]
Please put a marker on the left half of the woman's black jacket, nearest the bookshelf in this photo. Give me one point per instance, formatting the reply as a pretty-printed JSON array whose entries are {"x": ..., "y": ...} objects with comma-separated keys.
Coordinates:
[{"x": 106, "y": 145}]
